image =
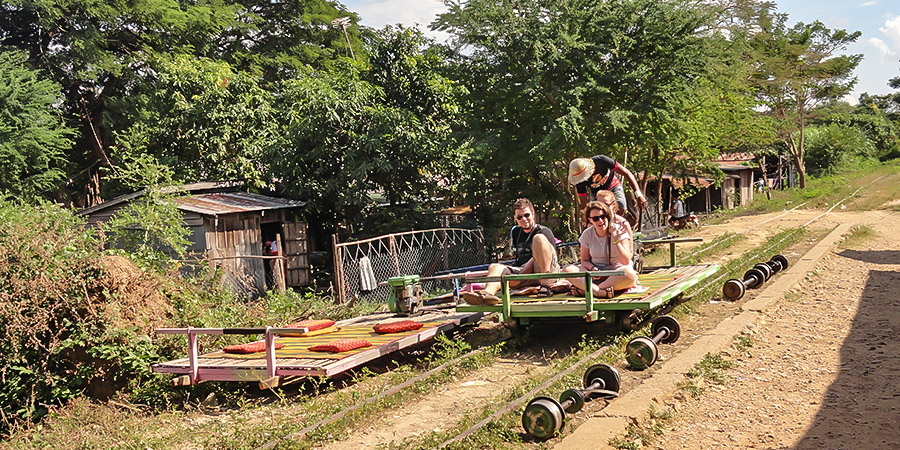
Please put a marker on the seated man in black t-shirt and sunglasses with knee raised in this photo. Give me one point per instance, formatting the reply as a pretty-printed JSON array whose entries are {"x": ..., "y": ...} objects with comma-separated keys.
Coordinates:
[{"x": 535, "y": 248}]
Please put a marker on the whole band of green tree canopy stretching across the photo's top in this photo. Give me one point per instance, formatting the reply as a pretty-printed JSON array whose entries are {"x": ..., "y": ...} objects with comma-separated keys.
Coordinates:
[{"x": 275, "y": 95}]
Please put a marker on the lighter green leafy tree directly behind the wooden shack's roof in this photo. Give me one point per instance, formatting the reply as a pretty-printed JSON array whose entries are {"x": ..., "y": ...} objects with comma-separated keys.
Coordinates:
[{"x": 201, "y": 119}]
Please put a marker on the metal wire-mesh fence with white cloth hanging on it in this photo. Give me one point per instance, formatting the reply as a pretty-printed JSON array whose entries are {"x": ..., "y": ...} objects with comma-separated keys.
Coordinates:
[{"x": 361, "y": 265}]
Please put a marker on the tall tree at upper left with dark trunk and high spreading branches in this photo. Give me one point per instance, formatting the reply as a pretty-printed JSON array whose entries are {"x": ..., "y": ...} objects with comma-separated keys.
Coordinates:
[{"x": 100, "y": 53}]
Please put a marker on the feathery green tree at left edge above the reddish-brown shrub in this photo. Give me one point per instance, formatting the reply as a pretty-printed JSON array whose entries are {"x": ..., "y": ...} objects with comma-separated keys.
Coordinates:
[{"x": 33, "y": 136}]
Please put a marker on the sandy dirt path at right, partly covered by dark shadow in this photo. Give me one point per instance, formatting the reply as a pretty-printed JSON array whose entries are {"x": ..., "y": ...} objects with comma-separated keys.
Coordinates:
[{"x": 824, "y": 369}]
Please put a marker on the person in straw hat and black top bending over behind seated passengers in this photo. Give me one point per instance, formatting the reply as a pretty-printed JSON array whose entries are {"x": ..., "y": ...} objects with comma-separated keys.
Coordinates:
[{"x": 598, "y": 173}]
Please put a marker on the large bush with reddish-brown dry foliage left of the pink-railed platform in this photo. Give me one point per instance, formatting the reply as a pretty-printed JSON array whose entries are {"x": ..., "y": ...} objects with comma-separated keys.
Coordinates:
[{"x": 73, "y": 320}]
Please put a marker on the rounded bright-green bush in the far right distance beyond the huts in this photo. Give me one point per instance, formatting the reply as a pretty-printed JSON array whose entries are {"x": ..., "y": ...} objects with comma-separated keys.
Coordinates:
[{"x": 831, "y": 147}]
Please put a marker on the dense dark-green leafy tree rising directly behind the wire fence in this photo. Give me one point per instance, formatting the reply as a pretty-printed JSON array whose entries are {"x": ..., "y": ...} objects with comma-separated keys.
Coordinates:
[{"x": 361, "y": 129}]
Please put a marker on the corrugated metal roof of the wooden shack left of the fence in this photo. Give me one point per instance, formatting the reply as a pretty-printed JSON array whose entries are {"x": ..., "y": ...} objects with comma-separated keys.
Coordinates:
[{"x": 232, "y": 202}]
